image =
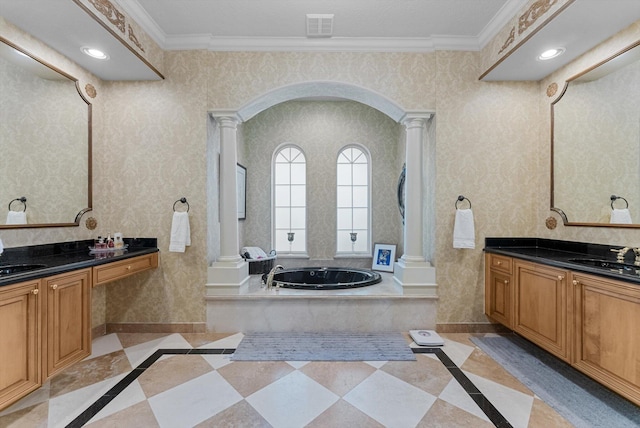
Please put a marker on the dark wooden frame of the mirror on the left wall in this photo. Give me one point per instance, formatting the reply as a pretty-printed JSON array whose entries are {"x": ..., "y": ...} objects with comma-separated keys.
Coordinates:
[{"x": 89, "y": 207}]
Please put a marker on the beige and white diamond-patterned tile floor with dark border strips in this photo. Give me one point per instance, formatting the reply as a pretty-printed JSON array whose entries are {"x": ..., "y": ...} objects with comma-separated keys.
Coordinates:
[{"x": 203, "y": 389}]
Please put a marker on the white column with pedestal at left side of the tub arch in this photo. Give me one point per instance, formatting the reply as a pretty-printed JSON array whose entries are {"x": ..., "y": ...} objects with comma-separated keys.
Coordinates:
[{"x": 229, "y": 271}]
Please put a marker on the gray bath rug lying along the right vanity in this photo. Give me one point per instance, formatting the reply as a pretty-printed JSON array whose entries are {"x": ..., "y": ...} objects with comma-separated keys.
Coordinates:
[{"x": 581, "y": 400}]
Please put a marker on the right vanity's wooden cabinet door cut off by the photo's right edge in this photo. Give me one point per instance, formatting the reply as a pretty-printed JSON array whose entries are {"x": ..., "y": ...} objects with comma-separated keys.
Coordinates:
[{"x": 607, "y": 345}]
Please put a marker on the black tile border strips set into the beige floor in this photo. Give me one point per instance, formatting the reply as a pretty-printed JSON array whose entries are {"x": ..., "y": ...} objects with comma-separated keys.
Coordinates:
[{"x": 492, "y": 413}]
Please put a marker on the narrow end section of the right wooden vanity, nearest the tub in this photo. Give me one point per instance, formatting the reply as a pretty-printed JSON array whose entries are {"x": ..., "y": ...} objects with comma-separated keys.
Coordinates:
[{"x": 498, "y": 288}]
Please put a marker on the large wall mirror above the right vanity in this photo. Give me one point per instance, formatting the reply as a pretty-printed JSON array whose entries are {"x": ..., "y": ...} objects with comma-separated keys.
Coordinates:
[{"x": 595, "y": 144}]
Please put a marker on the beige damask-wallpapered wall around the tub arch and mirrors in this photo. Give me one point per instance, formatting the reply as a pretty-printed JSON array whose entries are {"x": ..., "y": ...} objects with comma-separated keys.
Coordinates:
[{"x": 491, "y": 145}]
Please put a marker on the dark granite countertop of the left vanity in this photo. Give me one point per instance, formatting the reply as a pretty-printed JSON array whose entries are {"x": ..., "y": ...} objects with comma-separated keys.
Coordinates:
[{"x": 67, "y": 256}]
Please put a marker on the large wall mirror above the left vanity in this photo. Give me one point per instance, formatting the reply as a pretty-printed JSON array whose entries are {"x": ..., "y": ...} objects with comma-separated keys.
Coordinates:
[{"x": 45, "y": 143}]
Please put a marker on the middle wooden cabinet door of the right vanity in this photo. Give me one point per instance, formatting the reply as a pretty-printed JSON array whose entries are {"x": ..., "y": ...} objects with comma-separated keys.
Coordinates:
[{"x": 541, "y": 306}]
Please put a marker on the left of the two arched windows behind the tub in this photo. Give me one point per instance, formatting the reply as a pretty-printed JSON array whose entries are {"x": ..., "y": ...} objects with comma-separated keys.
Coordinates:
[{"x": 289, "y": 201}]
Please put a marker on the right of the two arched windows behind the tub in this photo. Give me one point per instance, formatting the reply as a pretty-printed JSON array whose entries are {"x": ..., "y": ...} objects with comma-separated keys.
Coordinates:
[{"x": 353, "y": 202}]
